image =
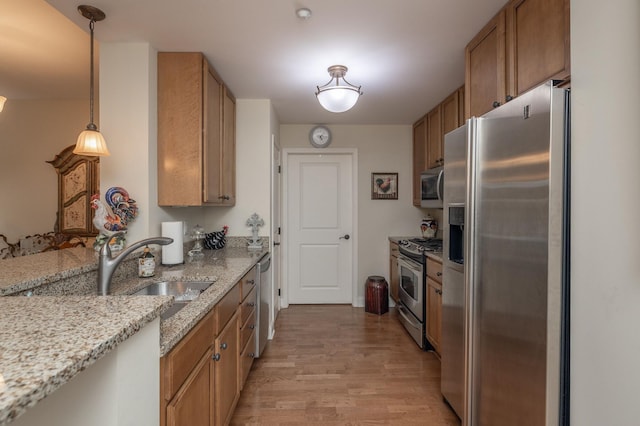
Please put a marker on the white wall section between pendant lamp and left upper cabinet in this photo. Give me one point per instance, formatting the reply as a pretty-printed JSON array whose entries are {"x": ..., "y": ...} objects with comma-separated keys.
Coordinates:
[{"x": 128, "y": 118}]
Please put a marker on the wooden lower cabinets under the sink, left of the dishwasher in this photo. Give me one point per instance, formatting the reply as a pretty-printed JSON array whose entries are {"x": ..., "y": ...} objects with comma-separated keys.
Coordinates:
[{"x": 201, "y": 377}]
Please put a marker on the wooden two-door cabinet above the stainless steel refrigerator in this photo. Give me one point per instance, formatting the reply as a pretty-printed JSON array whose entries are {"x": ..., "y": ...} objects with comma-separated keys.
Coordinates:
[{"x": 524, "y": 45}]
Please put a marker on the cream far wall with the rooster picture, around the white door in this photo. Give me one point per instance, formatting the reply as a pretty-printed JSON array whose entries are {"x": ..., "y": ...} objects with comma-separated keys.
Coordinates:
[{"x": 380, "y": 149}]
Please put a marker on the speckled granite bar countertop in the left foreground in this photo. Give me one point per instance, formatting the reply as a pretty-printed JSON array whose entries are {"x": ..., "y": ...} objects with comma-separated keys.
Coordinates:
[{"x": 45, "y": 341}]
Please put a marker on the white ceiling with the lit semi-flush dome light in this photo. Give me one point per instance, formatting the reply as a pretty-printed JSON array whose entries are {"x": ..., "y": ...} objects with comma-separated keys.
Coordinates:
[{"x": 406, "y": 54}]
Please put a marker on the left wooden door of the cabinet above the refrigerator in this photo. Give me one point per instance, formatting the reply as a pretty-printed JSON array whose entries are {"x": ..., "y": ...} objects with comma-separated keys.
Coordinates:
[{"x": 485, "y": 73}]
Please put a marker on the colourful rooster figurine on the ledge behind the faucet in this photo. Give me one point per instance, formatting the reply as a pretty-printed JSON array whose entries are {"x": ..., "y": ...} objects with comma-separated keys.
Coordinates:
[{"x": 114, "y": 217}]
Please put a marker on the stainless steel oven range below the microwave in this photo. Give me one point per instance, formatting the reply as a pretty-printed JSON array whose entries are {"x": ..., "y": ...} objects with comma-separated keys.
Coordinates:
[{"x": 412, "y": 291}]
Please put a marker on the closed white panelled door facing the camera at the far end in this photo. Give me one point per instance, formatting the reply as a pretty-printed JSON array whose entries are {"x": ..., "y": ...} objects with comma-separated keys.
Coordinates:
[{"x": 320, "y": 209}]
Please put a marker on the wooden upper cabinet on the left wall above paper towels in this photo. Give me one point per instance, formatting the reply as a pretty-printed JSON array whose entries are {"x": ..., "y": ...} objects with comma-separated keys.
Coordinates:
[{"x": 196, "y": 133}]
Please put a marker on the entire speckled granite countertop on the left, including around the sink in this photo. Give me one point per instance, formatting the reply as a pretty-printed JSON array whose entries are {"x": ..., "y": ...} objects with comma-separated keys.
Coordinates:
[{"x": 25, "y": 320}]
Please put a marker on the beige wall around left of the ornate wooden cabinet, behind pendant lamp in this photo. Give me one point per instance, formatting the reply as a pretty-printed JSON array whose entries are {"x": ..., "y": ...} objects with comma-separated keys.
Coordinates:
[{"x": 31, "y": 133}]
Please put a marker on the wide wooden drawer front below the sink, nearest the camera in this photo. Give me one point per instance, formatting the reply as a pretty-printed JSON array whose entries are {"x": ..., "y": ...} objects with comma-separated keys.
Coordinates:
[{"x": 178, "y": 363}]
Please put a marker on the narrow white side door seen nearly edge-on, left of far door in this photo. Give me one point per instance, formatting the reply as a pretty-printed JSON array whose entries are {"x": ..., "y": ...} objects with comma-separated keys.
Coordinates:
[{"x": 276, "y": 223}]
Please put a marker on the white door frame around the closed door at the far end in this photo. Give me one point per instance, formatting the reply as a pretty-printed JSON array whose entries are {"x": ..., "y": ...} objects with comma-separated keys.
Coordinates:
[{"x": 353, "y": 153}]
